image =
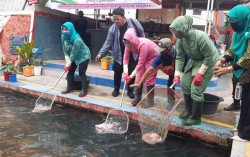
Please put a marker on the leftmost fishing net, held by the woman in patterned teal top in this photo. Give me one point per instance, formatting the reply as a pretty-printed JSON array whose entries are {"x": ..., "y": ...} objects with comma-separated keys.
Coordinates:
[{"x": 46, "y": 99}]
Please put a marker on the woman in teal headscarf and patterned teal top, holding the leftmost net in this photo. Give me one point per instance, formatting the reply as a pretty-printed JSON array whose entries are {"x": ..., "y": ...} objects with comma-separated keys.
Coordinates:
[{"x": 76, "y": 54}]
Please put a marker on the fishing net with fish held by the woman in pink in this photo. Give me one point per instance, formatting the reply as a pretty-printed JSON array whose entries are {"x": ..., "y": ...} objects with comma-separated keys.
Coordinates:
[{"x": 117, "y": 120}]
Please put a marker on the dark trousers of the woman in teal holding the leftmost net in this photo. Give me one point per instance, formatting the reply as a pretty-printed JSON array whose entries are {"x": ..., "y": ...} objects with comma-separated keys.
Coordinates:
[{"x": 82, "y": 69}]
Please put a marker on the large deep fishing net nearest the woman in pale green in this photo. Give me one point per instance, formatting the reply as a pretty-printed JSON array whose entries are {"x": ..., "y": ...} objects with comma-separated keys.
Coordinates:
[{"x": 155, "y": 111}]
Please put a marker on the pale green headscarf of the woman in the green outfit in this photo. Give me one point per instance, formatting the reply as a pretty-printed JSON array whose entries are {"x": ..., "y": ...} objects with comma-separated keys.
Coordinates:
[{"x": 182, "y": 24}]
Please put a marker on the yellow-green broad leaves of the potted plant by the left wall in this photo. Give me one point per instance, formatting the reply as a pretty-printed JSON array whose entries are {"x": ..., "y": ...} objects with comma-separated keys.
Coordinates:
[{"x": 25, "y": 51}]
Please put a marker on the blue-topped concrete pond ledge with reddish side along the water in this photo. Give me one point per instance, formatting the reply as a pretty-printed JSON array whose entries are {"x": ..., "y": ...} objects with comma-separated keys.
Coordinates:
[{"x": 207, "y": 132}]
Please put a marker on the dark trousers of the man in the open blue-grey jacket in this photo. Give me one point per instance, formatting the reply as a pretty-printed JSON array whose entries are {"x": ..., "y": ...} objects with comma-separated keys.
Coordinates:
[{"x": 118, "y": 70}]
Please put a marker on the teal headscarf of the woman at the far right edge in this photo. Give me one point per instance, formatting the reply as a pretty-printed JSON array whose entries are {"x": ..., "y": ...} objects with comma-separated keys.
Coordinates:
[{"x": 241, "y": 15}]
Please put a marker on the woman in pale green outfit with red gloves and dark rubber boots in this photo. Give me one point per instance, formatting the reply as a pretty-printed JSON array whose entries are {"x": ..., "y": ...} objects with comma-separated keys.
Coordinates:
[{"x": 199, "y": 69}]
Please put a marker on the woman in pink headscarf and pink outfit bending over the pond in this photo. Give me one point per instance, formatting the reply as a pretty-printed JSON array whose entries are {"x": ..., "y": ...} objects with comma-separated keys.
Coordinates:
[{"x": 145, "y": 49}]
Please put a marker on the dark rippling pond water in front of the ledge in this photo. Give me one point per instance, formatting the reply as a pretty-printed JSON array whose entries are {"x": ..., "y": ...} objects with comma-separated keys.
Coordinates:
[{"x": 68, "y": 131}]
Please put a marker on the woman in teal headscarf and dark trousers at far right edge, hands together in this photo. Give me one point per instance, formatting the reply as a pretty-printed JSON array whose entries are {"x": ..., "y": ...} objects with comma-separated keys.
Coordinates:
[{"x": 239, "y": 53}]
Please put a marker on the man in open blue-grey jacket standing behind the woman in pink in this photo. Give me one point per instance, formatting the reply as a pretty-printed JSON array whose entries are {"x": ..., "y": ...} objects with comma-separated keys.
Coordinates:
[{"x": 114, "y": 41}]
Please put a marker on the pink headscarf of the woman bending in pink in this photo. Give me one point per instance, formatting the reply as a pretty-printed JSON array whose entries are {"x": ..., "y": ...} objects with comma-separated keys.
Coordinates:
[{"x": 130, "y": 35}]
